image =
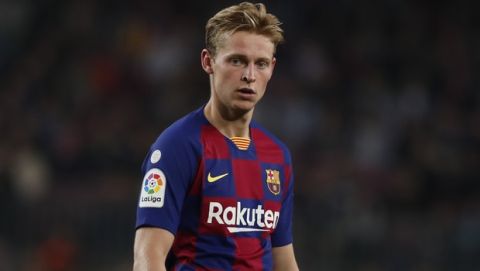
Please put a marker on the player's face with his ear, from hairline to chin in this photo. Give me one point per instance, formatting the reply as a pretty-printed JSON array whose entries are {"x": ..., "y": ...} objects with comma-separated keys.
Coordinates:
[{"x": 240, "y": 71}]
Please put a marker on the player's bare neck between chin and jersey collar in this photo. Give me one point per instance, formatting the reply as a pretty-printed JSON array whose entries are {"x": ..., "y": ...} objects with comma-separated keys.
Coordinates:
[{"x": 228, "y": 122}]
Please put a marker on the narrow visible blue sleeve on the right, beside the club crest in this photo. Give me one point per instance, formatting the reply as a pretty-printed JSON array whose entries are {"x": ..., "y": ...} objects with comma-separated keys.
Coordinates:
[{"x": 283, "y": 233}]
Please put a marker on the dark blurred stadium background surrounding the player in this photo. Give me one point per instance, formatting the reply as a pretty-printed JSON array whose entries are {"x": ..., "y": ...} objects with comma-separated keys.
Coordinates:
[{"x": 378, "y": 101}]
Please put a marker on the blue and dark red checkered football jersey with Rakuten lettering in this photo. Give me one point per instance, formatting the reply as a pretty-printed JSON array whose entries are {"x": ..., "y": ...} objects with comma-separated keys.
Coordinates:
[{"x": 226, "y": 207}]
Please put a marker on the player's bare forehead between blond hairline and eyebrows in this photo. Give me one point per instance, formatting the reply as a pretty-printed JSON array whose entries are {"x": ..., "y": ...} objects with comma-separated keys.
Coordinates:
[{"x": 246, "y": 43}]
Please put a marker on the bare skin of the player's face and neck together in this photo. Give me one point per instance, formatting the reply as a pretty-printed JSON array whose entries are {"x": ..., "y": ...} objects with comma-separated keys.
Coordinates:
[{"x": 239, "y": 74}]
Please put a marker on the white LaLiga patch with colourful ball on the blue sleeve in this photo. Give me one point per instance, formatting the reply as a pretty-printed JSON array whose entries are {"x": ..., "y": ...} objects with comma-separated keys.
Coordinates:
[{"x": 153, "y": 189}]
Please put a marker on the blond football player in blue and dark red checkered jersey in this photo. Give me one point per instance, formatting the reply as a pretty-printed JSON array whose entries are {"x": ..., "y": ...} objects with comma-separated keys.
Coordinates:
[{"x": 217, "y": 193}]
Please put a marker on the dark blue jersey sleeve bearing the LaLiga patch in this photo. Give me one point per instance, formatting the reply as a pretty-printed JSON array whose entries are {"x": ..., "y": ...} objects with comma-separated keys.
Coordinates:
[{"x": 168, "y": 170}]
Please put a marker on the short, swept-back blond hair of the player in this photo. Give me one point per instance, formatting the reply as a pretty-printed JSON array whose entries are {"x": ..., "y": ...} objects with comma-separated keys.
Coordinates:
[{"x": 242, "y": 17}]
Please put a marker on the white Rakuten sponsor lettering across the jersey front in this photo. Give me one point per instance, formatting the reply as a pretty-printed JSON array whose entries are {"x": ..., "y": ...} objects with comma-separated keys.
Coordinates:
[{"x": 258, "y": 219}]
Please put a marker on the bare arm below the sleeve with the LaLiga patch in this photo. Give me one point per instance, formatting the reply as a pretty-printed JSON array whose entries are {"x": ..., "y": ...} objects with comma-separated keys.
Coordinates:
[{"x": 151, "y": 249}]
